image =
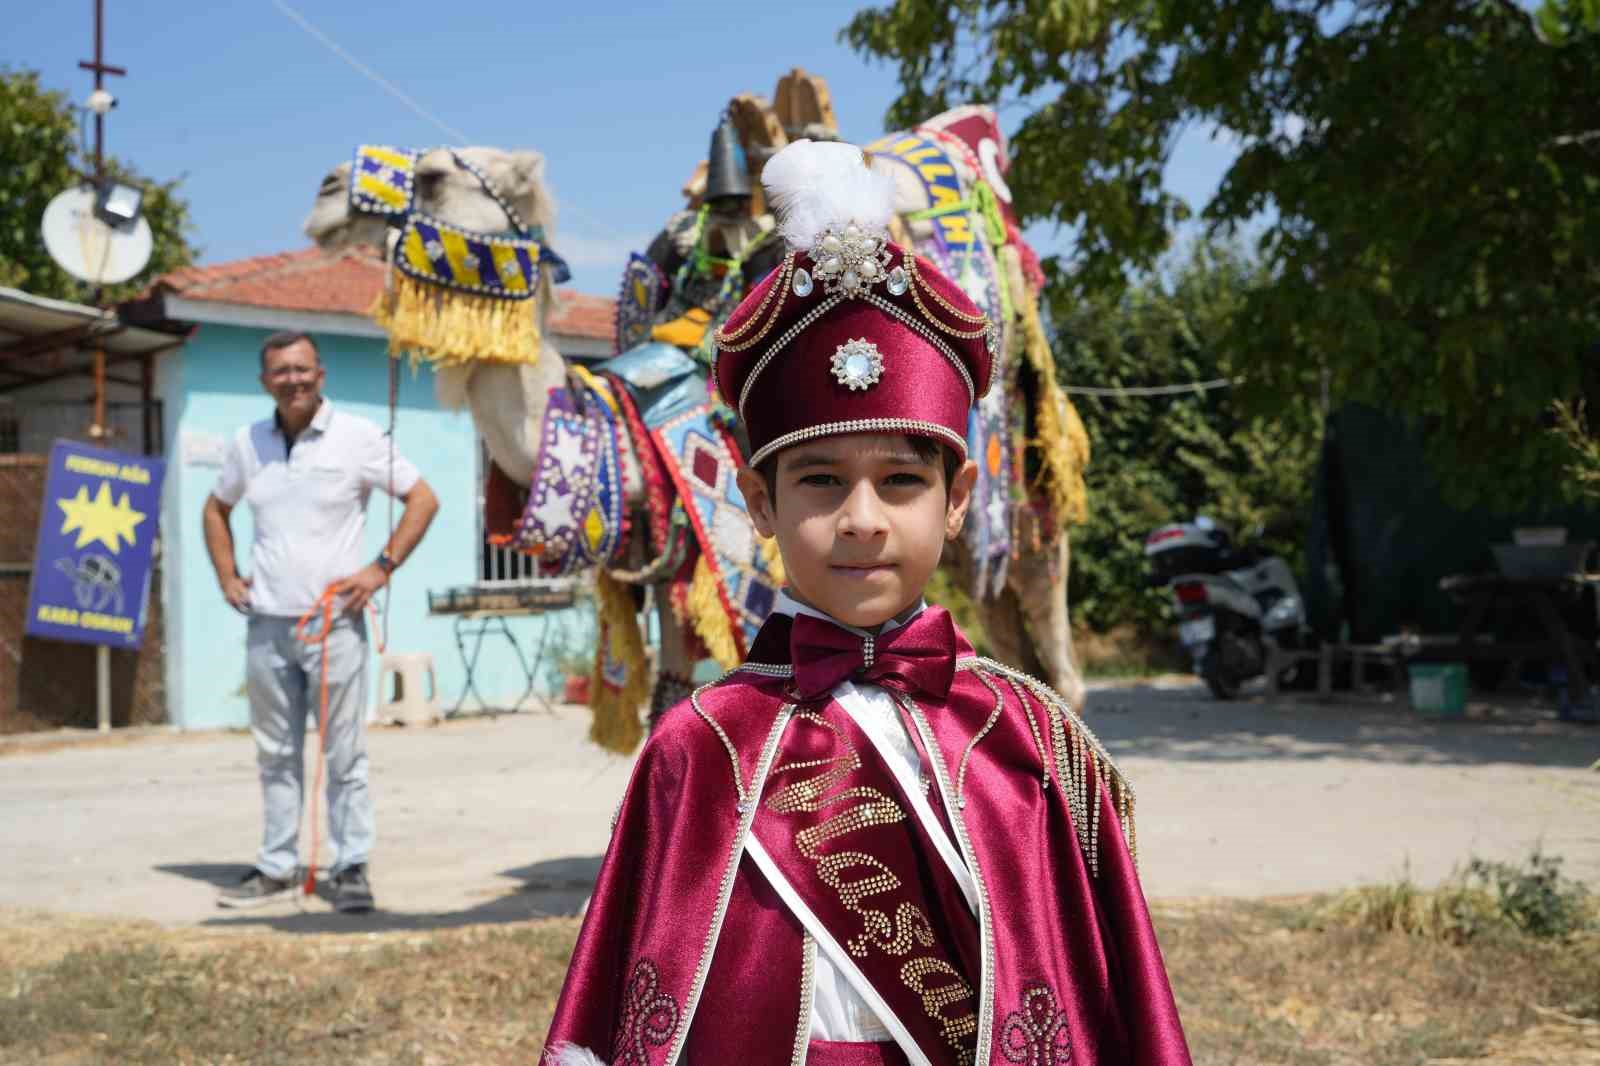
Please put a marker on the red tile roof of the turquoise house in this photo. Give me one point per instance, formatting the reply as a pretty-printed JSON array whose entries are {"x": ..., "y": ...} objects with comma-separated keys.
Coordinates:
[{"x": 346, "y": 283}]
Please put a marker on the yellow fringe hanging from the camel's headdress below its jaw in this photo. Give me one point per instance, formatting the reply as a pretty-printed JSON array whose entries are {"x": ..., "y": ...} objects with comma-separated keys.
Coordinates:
[{"x": 444, "y": 326}]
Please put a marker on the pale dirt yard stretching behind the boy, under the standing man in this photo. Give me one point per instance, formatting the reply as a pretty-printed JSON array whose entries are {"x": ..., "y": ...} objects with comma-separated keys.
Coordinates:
[{"x": 495, "y": 820}]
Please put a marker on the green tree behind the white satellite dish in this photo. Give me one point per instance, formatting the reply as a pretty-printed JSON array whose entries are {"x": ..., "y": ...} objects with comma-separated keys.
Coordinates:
[{"x": 39, "y": 159}]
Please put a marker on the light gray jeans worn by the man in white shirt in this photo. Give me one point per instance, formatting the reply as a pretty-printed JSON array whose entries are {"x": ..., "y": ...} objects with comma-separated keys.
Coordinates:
[{"x": 284, "y": 679}]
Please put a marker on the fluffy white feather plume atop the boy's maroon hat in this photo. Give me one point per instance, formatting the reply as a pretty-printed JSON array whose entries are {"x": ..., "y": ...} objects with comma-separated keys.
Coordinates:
[{"x": 826, "y": 185}]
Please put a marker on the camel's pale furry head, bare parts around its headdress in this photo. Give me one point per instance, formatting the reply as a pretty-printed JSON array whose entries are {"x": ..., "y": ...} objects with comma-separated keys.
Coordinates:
[{"x": 446, "y": 191}]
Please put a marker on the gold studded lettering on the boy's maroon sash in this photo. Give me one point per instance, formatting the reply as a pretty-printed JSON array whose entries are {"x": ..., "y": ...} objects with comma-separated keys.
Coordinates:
[{"x": 855, "y": 876}]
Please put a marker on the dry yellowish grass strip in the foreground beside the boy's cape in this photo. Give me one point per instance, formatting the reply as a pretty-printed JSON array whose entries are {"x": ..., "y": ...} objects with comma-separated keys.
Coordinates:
[{"x": 1258, "y": 984}]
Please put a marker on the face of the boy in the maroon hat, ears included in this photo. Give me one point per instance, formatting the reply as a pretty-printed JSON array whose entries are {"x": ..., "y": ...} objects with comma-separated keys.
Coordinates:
[{"x": 862, "y": 523}]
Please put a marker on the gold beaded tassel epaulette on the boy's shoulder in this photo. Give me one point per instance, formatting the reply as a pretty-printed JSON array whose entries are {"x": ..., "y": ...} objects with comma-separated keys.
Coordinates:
[{"x": 1081, "y": 763}]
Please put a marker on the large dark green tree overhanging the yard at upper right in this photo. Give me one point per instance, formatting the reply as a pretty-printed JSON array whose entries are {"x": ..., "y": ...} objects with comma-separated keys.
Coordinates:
[{"x": 1426, "y": 175}]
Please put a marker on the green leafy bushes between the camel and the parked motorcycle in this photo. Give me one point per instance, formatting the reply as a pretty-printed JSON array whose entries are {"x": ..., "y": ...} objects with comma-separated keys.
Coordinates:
[{"x": 1162, "y": 460}]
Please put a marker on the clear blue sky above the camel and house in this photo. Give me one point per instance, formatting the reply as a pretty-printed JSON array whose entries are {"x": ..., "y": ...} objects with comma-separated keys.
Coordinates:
[{"x": 252, "y": 111}]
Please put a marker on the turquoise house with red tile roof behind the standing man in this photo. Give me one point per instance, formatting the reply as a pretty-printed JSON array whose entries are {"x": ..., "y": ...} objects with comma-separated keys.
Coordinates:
[{"x": 209, "y": 388}]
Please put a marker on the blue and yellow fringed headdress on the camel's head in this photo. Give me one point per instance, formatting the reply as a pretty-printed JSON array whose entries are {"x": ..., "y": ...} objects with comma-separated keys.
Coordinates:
[{"x": 457, "y": 295}]
